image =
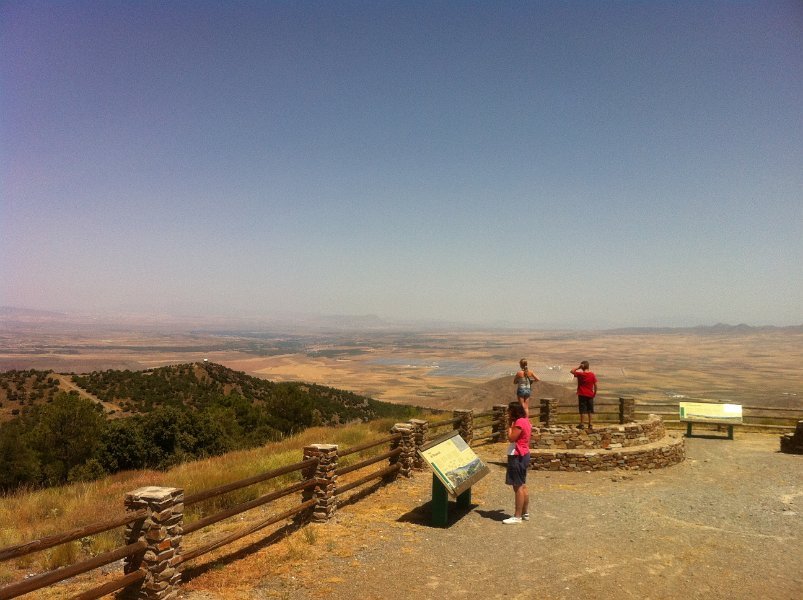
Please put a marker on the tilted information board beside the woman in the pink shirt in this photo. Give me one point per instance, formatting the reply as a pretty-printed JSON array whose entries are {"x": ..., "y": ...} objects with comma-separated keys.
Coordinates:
[{"x": 453, "y": 462}]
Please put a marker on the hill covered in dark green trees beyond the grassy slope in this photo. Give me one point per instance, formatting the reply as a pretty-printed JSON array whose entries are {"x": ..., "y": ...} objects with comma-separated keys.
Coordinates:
[{"x": 174, "y": 413}]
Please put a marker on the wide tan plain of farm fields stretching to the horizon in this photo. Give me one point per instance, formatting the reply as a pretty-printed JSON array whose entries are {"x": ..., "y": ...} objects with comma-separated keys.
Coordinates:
[{"x": 742, "y": 365}]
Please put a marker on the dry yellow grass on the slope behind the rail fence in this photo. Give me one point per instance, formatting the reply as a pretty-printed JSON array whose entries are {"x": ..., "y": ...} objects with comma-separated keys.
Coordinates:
[{"x": 30, "y": 515}]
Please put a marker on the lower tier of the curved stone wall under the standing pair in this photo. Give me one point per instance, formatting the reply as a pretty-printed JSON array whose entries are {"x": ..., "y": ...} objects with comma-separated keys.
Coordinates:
[{"x": 669, "y": 451}]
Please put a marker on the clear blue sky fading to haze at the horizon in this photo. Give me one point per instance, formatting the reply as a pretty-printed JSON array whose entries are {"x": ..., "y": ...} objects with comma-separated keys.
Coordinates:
[{"x": 550, "y": 164}]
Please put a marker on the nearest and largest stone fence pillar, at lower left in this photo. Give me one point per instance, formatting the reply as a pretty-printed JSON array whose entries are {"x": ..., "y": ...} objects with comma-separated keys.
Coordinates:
[{"x": 162, "y": 530}]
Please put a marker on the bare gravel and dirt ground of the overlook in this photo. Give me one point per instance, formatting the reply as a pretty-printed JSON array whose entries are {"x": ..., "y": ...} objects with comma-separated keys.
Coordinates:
[{"x": 726, "y": 523}]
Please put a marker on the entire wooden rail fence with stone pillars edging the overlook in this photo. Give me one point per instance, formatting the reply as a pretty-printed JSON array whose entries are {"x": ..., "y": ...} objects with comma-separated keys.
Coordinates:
[{"x": 156, "y": 532}]
